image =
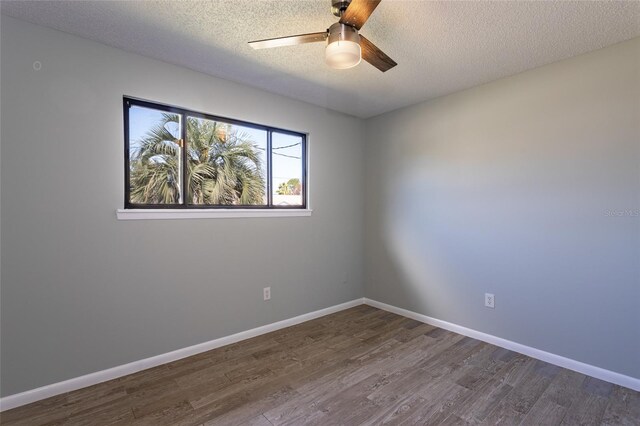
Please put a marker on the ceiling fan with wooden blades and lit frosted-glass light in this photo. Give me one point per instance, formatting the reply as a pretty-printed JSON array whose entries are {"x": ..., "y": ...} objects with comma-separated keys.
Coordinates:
[{"x": 345, "y": 47}]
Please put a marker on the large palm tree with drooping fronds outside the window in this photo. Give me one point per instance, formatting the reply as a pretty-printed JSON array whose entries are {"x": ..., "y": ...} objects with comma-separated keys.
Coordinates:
[{"x": 224, "y": 167}]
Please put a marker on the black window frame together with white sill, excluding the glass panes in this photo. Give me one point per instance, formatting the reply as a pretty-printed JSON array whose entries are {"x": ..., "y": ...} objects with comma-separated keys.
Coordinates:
[{"x": 155, "y": 210}]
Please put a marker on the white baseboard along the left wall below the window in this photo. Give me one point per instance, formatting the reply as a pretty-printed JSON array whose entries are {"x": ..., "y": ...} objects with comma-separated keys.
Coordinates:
[{"x": 27, "y": 397}]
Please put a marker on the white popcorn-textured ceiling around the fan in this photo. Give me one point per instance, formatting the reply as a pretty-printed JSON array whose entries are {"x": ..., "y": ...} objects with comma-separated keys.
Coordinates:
[{"x": 440, "y": 47}]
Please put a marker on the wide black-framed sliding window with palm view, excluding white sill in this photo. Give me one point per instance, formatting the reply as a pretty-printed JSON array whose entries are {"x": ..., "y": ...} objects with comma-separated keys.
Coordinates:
[{"x": 181, "y": 159}]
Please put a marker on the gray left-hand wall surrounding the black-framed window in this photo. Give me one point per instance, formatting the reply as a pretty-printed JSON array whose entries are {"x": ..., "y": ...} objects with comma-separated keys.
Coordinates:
[{"x": 82, "y": 291}]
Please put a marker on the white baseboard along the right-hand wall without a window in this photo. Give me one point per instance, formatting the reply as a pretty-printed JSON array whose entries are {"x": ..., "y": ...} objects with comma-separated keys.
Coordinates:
[{"x": 571, "y": 364}]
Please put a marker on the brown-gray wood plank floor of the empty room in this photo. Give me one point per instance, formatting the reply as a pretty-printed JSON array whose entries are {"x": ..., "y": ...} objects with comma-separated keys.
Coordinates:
[{"x": 359, "y": 366}]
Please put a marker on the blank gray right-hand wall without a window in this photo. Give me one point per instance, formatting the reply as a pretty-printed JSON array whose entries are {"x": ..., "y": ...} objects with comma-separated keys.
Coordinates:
[{"x": 505, "y": 188}]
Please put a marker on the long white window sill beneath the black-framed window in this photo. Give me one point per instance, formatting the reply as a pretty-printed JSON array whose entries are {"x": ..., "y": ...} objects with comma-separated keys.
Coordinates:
[{"x": 152, "y": 214}]
